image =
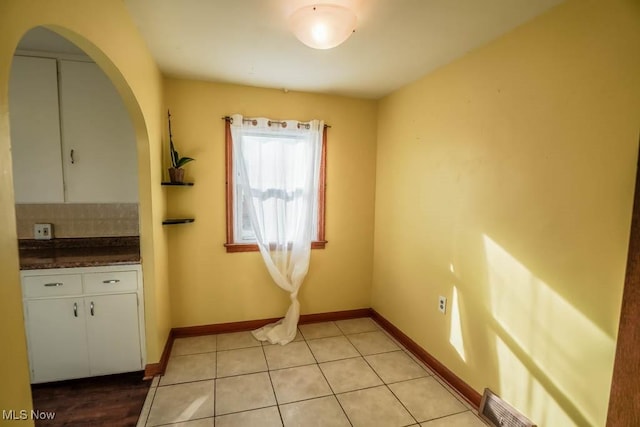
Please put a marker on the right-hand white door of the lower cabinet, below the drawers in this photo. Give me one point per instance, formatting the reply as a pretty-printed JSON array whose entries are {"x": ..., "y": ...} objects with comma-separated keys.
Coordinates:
[{"x": 113, "y": 334}]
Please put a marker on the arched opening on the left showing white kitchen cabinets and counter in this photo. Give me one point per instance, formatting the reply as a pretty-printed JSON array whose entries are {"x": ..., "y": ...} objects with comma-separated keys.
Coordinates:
[{"x": 75, "y": 176}]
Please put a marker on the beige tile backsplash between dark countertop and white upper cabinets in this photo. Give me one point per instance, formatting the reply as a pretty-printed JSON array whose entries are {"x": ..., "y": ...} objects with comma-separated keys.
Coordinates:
[{"x": 79, "y": 219}]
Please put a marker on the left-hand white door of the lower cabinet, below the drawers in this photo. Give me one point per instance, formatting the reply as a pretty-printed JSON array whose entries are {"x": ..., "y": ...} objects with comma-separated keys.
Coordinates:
[{"x": 56, "y": 332}]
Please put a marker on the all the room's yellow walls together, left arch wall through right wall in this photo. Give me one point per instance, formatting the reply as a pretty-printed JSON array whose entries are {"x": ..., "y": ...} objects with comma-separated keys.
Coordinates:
[{"x": 504, "y": 182}]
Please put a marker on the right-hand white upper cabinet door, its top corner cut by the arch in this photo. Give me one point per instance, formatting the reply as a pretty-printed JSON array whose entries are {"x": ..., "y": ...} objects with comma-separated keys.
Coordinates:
[{"x": 97, "y": 127}]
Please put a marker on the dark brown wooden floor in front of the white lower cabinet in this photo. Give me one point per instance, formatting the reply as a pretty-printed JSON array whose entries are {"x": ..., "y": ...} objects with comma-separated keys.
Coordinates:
[{"x": 114, "y": 400}]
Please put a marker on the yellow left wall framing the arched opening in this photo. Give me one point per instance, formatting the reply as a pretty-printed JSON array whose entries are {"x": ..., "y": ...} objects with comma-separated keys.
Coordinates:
[{"x": 105, "y": 31}]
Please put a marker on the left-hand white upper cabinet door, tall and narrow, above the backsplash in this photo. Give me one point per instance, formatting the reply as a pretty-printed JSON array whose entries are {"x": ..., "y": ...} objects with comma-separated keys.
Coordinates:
[{"x": 35, "y": 130}]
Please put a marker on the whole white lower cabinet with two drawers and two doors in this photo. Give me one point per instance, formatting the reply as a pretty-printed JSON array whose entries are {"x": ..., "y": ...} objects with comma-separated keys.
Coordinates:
[{"x": 79, "y": 331}]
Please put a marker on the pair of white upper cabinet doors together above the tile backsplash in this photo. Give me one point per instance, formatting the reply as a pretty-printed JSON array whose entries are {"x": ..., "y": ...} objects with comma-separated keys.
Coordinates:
[{"x": 71, "y": 136}]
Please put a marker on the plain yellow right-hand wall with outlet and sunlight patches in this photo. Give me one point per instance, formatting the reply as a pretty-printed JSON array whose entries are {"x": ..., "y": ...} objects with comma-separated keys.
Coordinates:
[{"x": 507, "y": 178}]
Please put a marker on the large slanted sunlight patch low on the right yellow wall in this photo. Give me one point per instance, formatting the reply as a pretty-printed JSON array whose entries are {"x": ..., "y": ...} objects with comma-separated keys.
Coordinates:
[{"x": 565, "y": 359}]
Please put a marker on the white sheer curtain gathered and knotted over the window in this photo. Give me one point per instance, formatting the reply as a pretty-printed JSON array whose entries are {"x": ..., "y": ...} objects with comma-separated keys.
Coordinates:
[{"x": 277, "y": 168}]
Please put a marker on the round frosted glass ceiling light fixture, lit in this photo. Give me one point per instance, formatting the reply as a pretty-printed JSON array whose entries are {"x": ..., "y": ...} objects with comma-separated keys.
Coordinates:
[{"x": 323, "y": 26}]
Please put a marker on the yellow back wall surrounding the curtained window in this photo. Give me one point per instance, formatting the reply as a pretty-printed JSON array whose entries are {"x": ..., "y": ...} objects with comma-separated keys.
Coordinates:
[{"x": 209, "y": 285}]
